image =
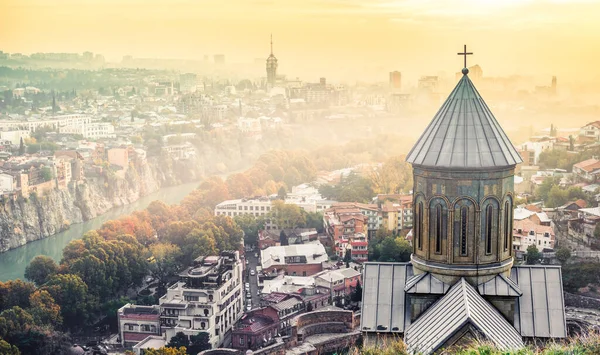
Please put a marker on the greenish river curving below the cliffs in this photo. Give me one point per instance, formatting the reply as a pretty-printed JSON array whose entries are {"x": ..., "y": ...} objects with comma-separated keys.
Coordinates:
[{"x": 14, "y": 262}]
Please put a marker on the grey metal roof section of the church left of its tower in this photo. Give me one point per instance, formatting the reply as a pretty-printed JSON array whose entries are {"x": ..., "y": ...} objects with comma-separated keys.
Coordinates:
[{"x": 384, "y": 302}]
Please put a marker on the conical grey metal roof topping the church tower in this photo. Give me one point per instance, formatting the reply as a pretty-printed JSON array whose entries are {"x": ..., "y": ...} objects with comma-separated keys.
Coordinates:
[{"x": 464, "y": 135}]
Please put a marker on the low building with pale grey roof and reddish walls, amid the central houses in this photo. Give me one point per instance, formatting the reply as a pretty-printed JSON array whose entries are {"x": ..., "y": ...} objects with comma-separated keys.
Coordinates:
[{"x": 295, "y": 260}]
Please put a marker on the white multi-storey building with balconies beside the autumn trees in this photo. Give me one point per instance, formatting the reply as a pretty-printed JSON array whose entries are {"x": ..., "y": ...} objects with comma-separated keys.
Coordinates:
[{"x": 207, "y": 298}]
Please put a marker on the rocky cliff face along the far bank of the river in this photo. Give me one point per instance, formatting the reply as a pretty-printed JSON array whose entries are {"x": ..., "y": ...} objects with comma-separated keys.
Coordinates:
[{"x": 38, "y": 217}]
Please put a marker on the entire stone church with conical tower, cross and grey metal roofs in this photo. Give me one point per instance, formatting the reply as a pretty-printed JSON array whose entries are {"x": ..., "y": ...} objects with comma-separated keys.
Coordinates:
[{"x": 461, "y": 283}]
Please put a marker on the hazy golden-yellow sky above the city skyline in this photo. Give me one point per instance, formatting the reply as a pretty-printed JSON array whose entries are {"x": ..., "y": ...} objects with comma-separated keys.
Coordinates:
[{"x": 540, "y": 37}]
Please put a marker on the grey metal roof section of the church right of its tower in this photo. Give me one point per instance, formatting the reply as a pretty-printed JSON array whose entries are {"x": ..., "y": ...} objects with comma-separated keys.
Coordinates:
[{"x": 540, "y": 310}]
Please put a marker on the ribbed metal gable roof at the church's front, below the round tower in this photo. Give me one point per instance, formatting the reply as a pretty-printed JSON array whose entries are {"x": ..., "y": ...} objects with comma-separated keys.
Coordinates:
[{"x": 461, "y": 306}]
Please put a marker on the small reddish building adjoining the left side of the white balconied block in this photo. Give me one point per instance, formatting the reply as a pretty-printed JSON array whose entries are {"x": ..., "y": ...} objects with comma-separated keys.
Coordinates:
[{"x": 137, "y": 323}]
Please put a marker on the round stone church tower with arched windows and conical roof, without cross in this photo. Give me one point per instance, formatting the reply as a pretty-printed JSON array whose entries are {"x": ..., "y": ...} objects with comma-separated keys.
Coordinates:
[{"x": 463, "y": 202}]
